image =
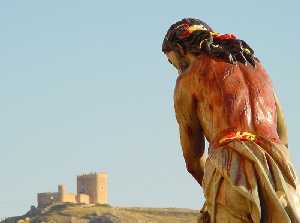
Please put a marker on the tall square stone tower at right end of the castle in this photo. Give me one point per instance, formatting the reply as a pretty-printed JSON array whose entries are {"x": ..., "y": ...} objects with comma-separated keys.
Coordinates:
[{"x": 94, "y": 185}]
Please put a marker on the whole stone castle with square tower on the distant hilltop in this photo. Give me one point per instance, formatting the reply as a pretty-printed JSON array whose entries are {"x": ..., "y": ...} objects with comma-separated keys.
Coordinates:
[{"x": 91, "y": 189}]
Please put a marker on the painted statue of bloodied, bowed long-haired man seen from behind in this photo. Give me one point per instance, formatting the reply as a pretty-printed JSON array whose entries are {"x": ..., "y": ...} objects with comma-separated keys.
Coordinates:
[{"x": 224, "y": 95}]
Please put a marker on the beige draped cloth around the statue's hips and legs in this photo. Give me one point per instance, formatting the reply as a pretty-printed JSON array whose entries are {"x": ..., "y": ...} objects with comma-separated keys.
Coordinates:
[{"x": 247, "y": 181}]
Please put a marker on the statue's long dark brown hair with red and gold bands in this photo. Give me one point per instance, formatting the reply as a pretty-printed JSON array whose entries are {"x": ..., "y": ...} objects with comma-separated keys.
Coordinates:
[{"x": 196, "y": 37}]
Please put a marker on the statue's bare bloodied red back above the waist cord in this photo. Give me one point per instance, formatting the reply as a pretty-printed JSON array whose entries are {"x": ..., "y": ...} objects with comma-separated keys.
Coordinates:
[{"x": 228, "y": 96}]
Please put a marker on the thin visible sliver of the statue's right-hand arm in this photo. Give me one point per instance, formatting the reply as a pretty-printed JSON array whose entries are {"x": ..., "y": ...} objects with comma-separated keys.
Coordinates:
[{"x": 281, "y": 123}]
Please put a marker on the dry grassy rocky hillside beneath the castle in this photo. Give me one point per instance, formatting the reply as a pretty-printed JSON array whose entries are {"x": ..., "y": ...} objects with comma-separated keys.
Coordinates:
[{"x": 75, "y": 213}]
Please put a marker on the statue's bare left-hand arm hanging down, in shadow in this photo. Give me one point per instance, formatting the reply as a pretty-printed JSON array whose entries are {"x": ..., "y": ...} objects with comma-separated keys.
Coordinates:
[{"x": 191, "y": 136}]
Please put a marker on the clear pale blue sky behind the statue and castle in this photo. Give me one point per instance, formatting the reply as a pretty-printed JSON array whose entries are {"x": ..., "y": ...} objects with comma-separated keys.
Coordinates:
[{"x": 84, "y": 87}]
